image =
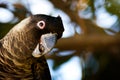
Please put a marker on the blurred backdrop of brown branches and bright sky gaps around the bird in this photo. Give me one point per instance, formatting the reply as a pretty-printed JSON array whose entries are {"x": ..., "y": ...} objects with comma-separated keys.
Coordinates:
[{"x": 90, "y": 46}]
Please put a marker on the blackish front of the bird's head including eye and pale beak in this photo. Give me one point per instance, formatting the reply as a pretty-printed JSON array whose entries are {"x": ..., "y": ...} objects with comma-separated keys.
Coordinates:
[{"x": 51, "y": 29}]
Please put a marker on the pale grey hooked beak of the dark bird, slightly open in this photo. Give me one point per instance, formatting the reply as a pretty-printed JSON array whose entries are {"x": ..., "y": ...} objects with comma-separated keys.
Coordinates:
[{"x": 47, "y": 42}]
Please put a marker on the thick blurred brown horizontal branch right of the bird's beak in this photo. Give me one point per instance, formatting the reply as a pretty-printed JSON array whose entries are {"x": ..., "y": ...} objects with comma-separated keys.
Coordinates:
[{"x": 90, "y": 42}]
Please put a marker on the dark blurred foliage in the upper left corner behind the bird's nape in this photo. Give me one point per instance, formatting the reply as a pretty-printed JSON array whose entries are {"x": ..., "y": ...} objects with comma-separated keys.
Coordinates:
[{"x": 19, "y": 13}]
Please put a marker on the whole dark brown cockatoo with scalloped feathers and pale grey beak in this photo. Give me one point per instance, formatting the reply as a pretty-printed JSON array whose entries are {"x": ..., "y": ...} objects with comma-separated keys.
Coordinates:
[{"x": 19, "y": 59}]
